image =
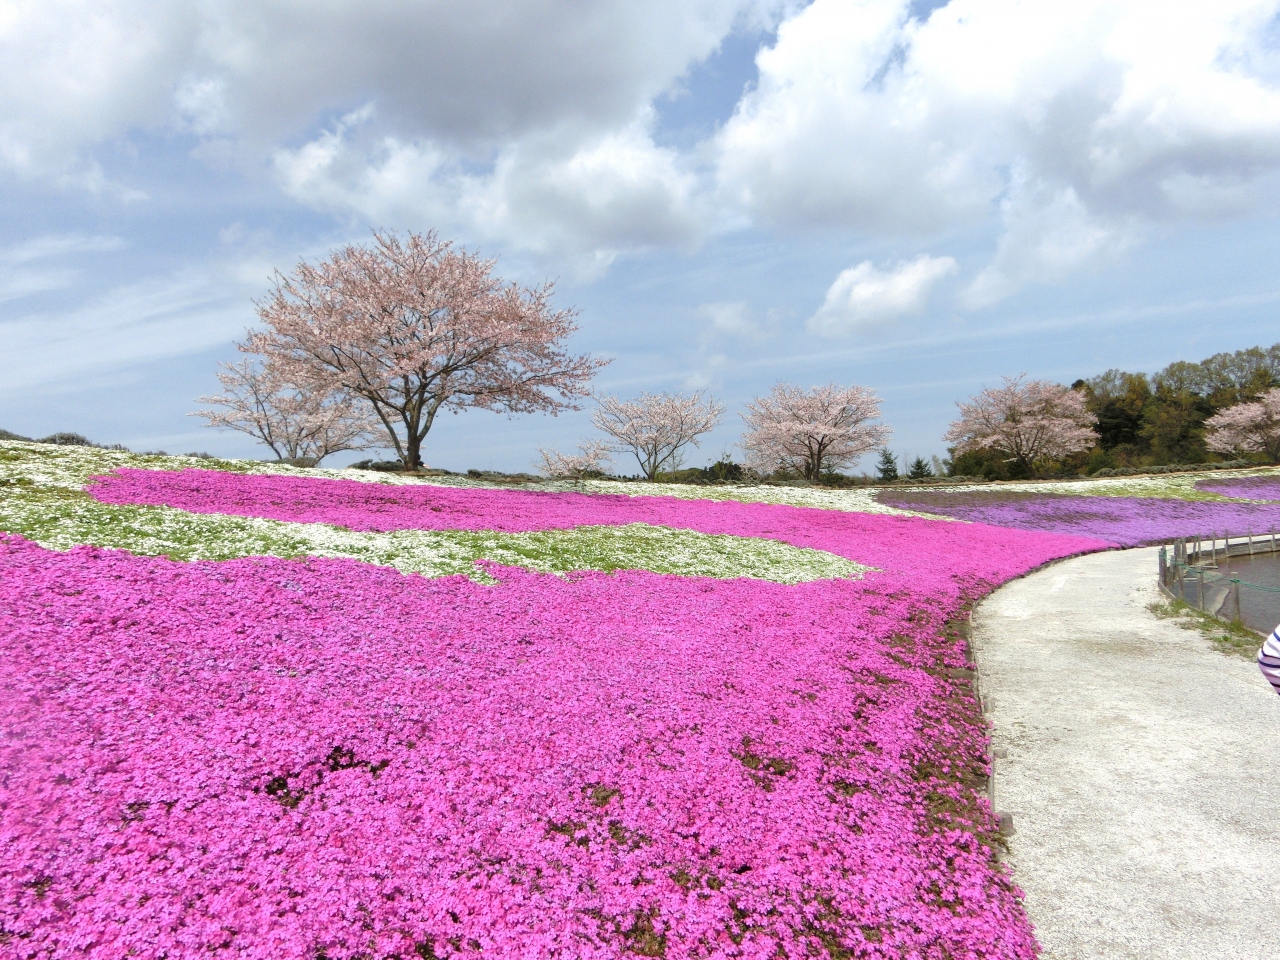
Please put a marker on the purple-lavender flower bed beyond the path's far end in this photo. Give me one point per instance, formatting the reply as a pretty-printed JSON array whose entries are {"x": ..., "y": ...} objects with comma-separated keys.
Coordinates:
[{"x": 1128, "y": 522}]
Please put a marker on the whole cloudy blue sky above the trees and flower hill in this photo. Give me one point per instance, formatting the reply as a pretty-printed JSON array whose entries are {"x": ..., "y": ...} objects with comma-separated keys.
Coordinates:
[{"x": 916, "y": 196}]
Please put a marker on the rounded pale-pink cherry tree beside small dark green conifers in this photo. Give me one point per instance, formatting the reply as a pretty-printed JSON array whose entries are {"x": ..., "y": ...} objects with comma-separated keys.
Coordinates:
[{"x": 812, "y": 432}]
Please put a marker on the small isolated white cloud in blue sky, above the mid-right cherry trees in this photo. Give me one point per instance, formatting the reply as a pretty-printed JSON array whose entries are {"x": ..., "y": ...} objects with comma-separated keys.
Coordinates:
[{"x": 866, "y": 296}]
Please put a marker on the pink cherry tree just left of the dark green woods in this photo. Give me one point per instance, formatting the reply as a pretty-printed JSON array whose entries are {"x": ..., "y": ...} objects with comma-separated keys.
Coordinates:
[{"x": 1032, "y": 422}]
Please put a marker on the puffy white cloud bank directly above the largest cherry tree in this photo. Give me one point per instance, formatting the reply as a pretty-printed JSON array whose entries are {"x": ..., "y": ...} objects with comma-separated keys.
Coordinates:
[{"x": 580, "y": 202}]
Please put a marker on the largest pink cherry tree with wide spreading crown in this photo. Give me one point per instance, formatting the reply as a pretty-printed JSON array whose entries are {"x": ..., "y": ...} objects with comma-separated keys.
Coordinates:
[{"x": 417, "y": 327}]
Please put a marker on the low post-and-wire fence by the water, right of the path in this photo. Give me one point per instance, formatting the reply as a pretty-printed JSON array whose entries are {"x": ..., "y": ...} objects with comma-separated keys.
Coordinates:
[{"x": 1215, "y": 575}]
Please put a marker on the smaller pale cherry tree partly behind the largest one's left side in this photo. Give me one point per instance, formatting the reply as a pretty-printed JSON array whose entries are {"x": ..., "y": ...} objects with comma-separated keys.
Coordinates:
[{"x": 298, "y": 423}]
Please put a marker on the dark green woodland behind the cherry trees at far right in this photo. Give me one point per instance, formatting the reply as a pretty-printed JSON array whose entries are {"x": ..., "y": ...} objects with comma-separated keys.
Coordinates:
[{"x": 1151, "y": 420}]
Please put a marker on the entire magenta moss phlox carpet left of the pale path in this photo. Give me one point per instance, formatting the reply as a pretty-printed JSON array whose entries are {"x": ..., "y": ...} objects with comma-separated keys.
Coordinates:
[{"x": 269, "y": 758}]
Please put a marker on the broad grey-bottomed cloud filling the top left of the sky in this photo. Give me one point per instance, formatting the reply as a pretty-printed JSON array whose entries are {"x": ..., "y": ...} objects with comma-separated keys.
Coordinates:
[{"x": 474, "y": 75}]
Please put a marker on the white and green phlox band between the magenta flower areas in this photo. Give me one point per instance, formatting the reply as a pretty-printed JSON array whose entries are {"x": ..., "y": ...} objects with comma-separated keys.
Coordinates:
[{"x": 43, "y": 501}]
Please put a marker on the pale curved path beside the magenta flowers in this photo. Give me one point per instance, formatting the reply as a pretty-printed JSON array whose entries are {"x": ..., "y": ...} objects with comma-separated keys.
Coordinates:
[{"x": 1141, "y": 766}]
